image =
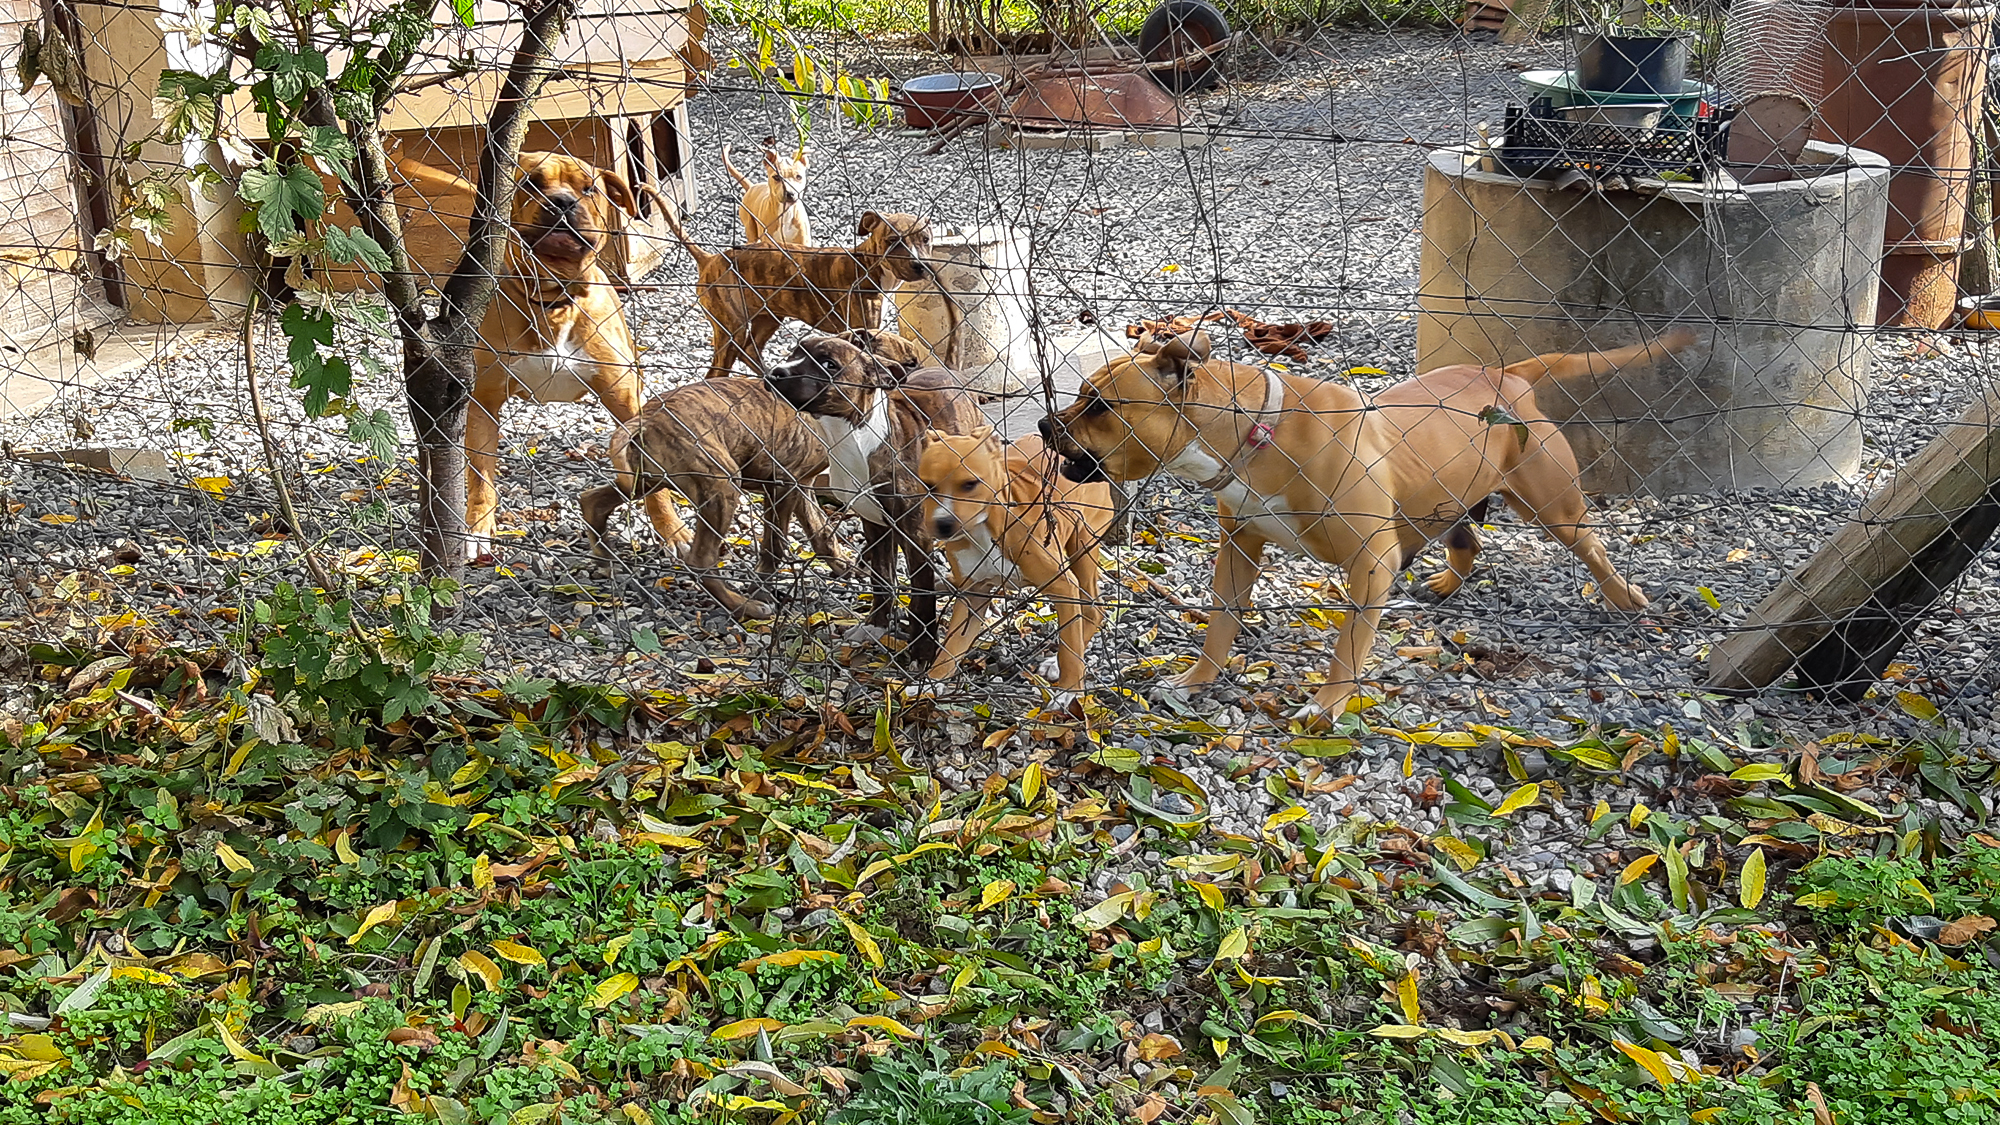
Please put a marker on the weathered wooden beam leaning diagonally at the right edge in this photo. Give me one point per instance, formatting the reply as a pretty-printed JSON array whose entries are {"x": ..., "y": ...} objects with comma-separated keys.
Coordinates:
[{"x": 1841, "y": 618}]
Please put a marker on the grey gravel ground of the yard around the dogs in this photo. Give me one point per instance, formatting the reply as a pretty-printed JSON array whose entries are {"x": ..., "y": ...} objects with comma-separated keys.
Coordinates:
[{"x": 1277, "y": 217}]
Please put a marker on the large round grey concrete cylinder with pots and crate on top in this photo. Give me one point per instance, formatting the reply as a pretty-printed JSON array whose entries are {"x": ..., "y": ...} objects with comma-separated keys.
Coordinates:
[{"x": 1777, "y": 279}]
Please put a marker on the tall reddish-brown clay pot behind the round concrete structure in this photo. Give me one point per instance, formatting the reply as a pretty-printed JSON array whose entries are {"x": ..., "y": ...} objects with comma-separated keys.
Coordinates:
[{"x": 1907, "y": 79}]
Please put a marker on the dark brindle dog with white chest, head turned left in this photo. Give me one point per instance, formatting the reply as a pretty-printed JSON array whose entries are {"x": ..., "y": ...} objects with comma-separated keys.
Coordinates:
[{"x": 873, "y": 413}]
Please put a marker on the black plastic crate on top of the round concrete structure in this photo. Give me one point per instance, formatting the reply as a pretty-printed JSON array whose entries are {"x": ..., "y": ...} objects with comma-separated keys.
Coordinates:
[{"x": 1537, "y": 141}]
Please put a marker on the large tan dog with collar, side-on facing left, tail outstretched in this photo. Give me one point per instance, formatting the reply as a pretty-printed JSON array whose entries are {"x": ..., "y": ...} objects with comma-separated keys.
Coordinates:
[{"x": 1319, "y": 469}]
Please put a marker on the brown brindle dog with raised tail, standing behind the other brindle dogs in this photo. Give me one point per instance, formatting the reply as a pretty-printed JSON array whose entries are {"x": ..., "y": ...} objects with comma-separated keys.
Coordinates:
[{"x": 753, "y": 289}]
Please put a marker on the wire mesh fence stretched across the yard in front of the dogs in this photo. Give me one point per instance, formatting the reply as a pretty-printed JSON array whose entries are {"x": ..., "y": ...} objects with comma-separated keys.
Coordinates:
[{"x": 1337, "y": 215}]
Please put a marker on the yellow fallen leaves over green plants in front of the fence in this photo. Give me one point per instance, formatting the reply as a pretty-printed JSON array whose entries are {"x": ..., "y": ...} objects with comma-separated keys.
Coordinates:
[{"x": 801, "y": 850}]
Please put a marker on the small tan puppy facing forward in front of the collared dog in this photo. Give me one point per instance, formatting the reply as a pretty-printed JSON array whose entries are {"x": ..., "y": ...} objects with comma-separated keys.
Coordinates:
[{"x": 1007, "y": 519}]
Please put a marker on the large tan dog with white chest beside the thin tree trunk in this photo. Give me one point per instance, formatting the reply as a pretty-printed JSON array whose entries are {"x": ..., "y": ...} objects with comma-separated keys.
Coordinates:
[{"x": 557, "y": 327}]
